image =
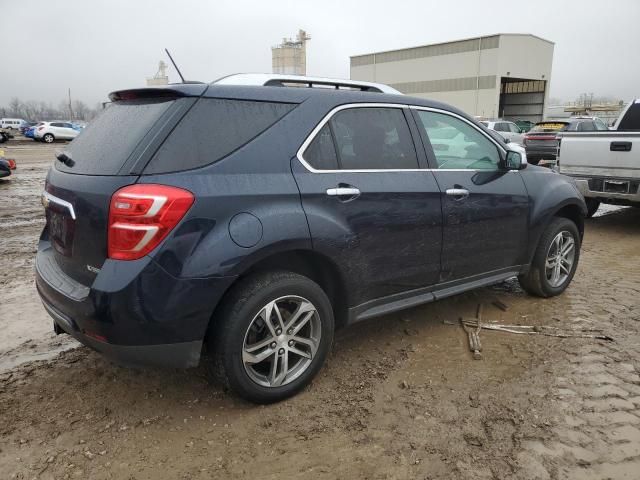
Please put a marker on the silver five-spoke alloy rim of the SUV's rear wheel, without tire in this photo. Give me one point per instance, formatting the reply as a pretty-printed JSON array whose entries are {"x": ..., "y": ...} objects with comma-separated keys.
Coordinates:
[{"x": 281, "y": 341}]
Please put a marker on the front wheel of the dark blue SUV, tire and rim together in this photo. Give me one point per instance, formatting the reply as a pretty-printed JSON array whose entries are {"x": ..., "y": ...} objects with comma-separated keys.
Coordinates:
[{"x": 555, "y": 261}]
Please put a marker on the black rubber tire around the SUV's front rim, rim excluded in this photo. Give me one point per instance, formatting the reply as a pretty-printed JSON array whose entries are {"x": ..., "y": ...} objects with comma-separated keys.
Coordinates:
[{"x": 535, "y": 281}]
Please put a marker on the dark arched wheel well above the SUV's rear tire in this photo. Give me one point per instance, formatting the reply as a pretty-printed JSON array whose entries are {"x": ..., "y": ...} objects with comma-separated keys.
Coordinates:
[{"x": 314, "y": 266}]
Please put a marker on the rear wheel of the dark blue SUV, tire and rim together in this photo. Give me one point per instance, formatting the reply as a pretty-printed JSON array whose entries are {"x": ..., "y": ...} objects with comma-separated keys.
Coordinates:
[{"x": 272, "y": 336}]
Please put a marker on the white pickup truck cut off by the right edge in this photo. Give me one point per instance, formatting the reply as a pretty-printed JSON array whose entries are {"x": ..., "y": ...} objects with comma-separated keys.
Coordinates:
[{"x": 605, "y": 164}]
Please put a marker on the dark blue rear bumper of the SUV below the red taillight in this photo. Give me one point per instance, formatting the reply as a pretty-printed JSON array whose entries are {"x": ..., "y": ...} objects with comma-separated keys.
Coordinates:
[{"x": 134, "y": 313}]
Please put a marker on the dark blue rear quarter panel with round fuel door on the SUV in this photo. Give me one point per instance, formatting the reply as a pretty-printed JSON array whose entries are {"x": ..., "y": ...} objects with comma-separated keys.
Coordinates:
[{"x": 252, "y": 192}]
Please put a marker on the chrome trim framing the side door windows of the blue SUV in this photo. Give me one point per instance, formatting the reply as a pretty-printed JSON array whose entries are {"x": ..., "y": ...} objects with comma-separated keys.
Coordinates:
[{"x": 332, "y": 112}]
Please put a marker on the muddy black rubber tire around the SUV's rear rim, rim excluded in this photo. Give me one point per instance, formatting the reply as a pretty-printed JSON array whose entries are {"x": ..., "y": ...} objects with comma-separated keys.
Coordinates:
[{"x": 226, "y": 339}]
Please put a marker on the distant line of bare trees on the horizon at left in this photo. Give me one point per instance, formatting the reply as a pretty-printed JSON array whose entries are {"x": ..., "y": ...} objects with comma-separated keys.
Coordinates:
[{"x": 33, "y": 110}]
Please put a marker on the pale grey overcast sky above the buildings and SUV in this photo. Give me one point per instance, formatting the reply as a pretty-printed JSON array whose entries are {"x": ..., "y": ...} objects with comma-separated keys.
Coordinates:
[{"x": 97, "y": 46}]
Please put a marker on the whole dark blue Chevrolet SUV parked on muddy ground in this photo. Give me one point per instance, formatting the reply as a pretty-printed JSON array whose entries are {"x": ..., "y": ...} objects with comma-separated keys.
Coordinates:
[{"x": 255, "y": 220}]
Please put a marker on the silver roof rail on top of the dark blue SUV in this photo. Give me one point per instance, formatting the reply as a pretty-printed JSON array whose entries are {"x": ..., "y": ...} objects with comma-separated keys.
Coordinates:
[{"x": 276, "y": 80}]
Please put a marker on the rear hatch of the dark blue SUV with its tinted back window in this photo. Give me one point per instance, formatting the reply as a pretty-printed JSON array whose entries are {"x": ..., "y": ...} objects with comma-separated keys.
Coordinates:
[{"x": 108, "y": 155}]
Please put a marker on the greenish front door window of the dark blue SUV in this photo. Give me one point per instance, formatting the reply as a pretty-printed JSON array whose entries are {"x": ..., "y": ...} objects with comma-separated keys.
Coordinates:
[{"x": 456, "y": 144}]
